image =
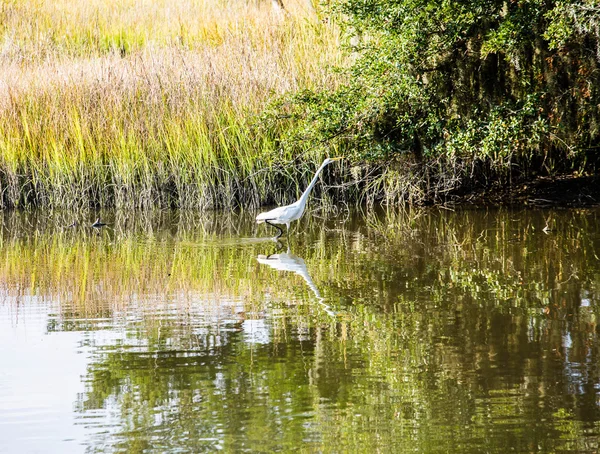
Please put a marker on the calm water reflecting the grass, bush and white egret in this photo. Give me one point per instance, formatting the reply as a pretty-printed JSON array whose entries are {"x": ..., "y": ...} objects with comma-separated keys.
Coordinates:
[{"x": 436, "y": 331}]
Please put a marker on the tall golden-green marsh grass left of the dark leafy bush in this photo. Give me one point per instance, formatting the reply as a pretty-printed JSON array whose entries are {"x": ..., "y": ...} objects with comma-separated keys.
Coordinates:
[{"x": 145, "y": 104}]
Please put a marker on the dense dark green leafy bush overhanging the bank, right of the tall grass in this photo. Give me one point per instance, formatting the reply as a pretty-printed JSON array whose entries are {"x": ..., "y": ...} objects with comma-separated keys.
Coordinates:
[{"x": 511, "y": 87}]
